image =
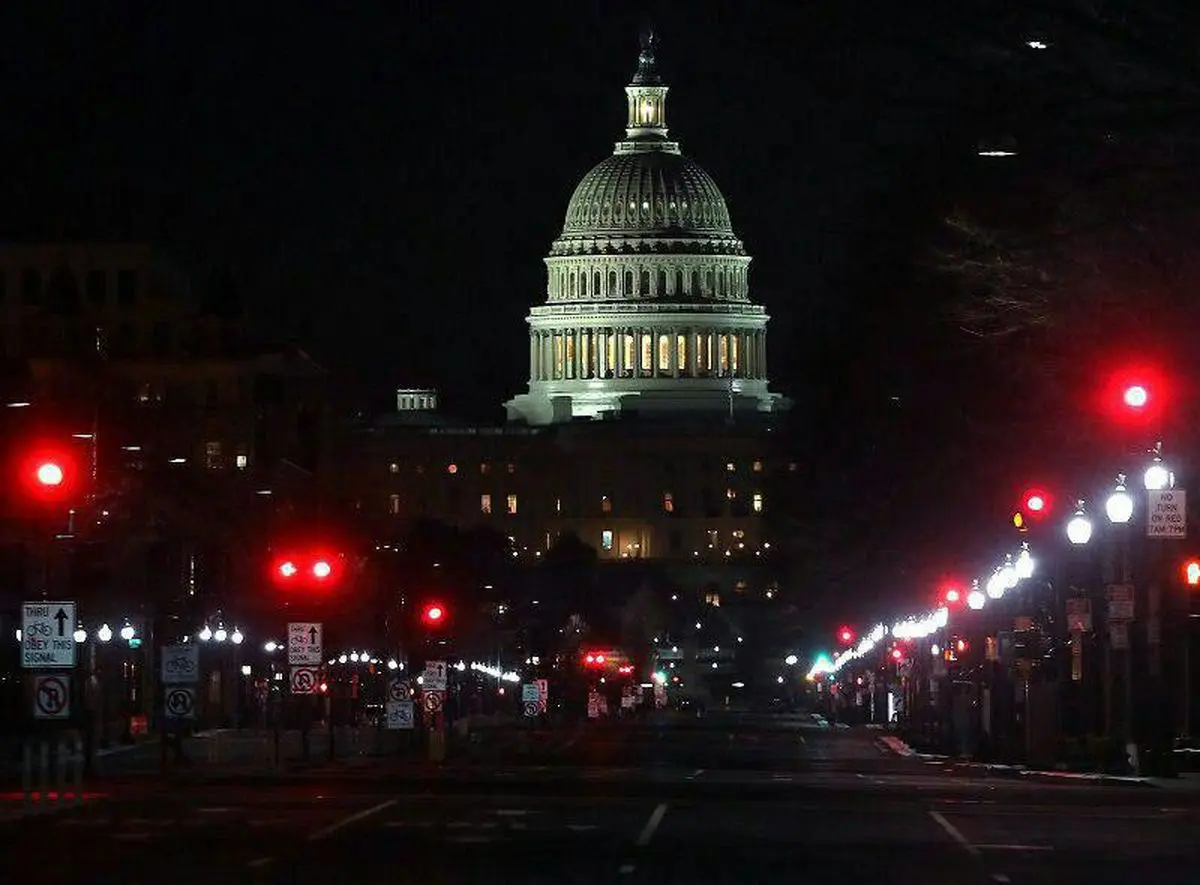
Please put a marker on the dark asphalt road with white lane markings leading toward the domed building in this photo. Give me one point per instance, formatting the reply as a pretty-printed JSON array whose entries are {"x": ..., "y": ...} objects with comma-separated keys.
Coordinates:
[{"x": 727, "y": 800}]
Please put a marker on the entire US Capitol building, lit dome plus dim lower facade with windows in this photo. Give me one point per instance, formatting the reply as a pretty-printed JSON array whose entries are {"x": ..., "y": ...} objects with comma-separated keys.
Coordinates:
[{"x": 649, "y": 429}]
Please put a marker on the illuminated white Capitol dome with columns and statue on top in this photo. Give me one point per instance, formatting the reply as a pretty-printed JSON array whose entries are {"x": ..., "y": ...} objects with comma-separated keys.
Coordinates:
[{"x": 647, "y": 298}]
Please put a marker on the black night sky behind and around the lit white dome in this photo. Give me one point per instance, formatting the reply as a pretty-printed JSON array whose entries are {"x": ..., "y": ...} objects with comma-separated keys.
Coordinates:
[{"x": 383, "y": 182}]
